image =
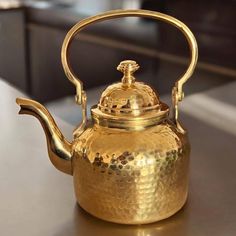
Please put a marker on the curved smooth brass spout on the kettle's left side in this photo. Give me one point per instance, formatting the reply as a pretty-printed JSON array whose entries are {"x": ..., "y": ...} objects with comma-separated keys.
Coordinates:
[{"x": 59, "y": 149}]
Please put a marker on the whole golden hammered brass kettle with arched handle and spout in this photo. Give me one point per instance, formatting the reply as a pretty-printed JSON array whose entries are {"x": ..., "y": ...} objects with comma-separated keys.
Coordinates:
[{"x": 130, "y": 161}]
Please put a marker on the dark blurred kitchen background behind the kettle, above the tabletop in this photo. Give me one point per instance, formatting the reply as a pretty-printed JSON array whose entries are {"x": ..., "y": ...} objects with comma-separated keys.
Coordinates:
[{"x": 32, "y": 33}]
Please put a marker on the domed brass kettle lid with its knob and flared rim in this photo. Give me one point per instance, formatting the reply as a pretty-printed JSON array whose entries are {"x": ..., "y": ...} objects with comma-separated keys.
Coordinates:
[{"x": 129, "y": 100}]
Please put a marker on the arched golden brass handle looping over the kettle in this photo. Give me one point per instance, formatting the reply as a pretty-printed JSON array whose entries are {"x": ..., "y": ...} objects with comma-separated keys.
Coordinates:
[{"x": 177, "y": 93}]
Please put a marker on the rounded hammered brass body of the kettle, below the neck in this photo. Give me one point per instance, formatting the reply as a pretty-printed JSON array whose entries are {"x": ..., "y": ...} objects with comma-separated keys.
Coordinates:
[{"x": 131, "y": 177}]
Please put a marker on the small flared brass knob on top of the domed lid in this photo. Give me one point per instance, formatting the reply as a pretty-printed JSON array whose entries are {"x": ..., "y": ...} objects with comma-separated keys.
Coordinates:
[{"x": 128, "y": 67}]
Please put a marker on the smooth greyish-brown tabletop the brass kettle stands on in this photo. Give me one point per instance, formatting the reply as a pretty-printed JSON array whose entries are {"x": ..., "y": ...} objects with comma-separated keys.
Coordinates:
[{"x": 36, "y": 199}]
